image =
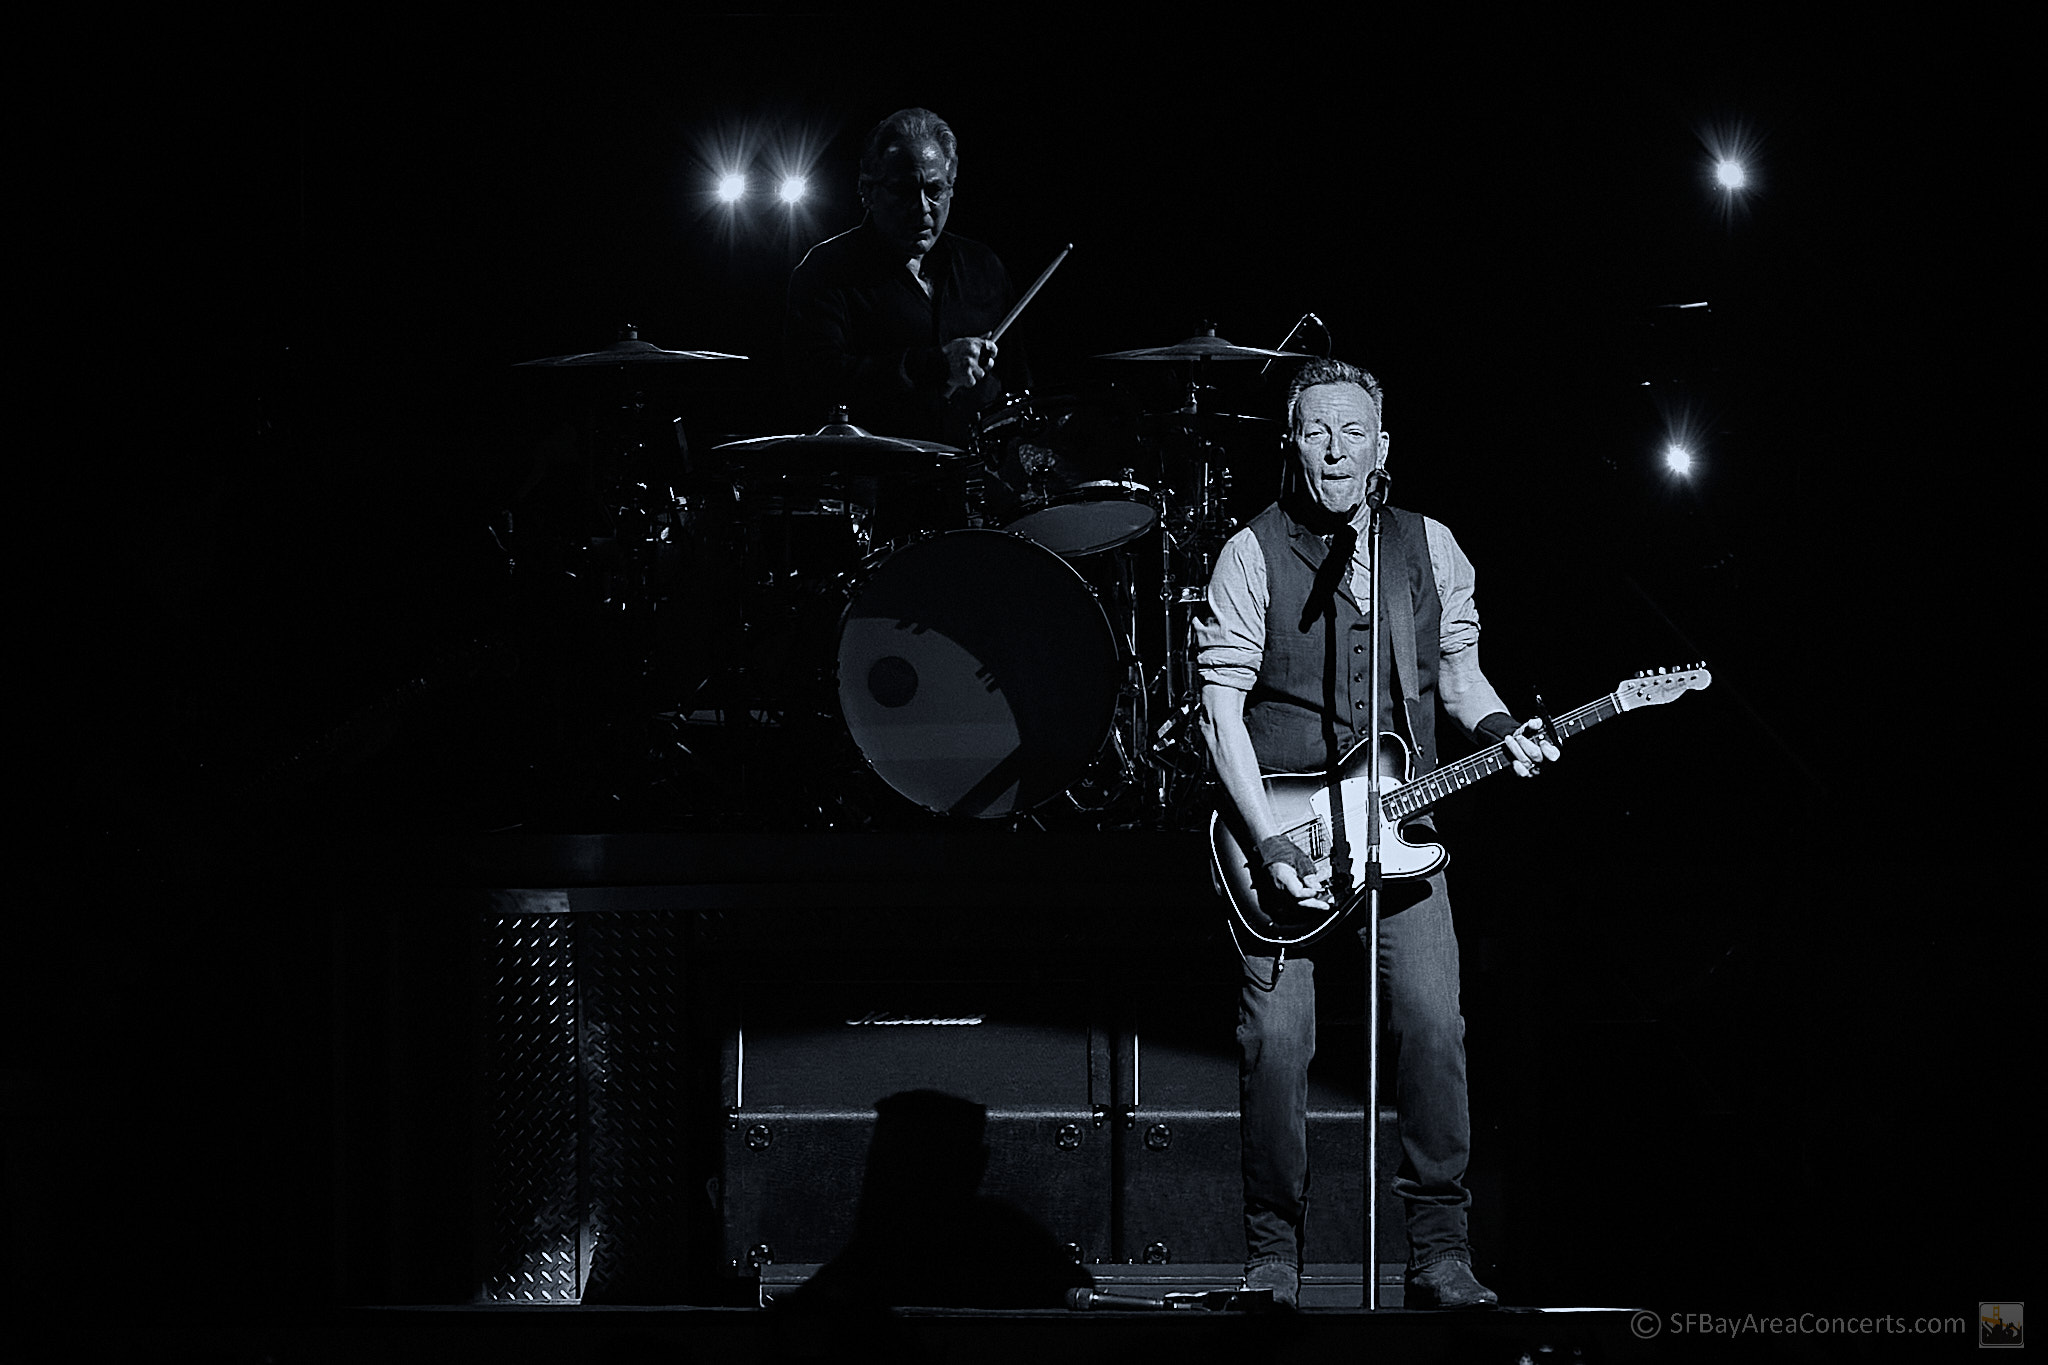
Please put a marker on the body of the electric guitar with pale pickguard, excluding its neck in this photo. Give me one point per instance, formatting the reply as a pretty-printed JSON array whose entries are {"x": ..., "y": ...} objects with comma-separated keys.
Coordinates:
[{"x": 1304, "y": 805}]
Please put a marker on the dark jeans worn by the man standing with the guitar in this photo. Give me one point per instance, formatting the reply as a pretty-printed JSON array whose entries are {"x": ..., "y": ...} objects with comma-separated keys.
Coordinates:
[{"x": 1426, "y": 1041}]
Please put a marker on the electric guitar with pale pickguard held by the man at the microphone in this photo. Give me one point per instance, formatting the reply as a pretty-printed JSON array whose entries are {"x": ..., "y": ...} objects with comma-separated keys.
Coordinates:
[{"x": 1304, "y": 807}]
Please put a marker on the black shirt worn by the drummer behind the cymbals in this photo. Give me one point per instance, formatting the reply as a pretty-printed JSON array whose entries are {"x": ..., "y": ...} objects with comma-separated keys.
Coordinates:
[{"x": 863, "y": 335}]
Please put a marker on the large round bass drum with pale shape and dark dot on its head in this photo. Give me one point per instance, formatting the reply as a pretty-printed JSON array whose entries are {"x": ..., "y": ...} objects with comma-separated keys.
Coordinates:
[{"x": 978, "y": 674}]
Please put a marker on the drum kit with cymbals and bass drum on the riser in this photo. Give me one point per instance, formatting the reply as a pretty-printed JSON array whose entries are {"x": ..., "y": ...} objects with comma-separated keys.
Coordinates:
[{"x": 998, "y": 631}]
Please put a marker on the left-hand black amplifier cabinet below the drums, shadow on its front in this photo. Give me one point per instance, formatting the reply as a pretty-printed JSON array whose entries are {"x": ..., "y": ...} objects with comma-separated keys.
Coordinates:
[{"x": 806, "y": 1063}]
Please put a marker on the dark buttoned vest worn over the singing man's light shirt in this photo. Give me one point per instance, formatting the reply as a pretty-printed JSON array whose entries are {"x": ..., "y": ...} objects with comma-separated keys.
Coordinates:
[{"x": 1297, "y": 695}]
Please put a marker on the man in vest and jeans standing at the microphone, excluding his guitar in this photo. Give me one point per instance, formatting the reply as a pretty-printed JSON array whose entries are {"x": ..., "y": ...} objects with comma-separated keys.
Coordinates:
[{"x": 1285, "y": 691}]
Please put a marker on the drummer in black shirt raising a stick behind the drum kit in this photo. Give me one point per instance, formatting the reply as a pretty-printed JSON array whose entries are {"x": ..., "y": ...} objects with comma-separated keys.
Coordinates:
[{"x": 892, "y": 320}]
